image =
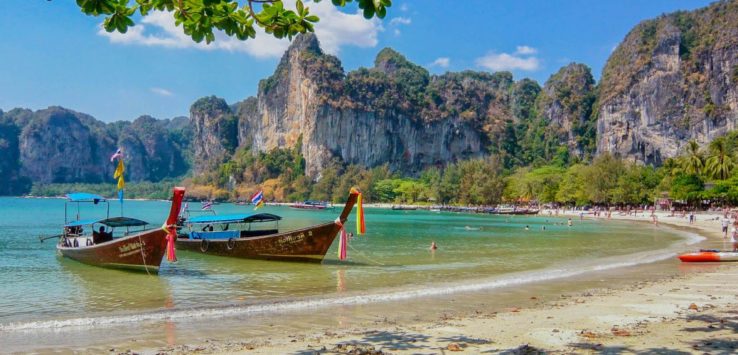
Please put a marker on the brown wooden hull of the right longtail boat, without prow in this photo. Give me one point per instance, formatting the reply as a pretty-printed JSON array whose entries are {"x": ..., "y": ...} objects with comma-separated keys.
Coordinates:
[{"x": 306, "y": 245}]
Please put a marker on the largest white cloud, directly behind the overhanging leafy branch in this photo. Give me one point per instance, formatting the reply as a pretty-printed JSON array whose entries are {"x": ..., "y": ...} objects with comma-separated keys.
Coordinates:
[{"x": 335, "y": 30}]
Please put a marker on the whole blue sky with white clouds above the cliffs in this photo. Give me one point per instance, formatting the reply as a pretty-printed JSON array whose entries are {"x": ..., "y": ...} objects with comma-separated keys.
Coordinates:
[{"x": 52, "y": 54}]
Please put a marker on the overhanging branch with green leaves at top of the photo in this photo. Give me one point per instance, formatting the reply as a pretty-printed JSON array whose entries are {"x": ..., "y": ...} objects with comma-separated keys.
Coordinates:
[{"x": 199, "y": 18}]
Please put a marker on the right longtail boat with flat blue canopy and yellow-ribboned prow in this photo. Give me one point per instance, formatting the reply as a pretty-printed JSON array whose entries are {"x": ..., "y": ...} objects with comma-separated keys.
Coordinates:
[{"x": 232, "y": 235}]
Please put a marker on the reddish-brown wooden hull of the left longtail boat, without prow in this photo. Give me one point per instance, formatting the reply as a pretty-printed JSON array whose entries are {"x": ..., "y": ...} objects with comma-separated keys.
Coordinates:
[{"x": 142, "y": 251}]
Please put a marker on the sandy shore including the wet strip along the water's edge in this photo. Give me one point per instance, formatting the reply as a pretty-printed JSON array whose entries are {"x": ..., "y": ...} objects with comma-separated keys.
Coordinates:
[{"x": 582, "y": 313}]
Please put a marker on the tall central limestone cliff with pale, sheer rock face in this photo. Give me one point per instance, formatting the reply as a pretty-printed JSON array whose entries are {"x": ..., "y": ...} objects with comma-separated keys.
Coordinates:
[{"x": 394, "y": 113}]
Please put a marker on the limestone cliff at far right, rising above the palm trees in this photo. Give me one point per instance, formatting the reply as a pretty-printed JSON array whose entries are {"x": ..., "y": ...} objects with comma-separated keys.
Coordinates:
[{"x": 671, "y": 80}]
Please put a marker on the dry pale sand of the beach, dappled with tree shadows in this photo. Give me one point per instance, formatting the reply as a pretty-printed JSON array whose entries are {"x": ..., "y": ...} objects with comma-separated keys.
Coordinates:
[{"x": 686, "y": 312}]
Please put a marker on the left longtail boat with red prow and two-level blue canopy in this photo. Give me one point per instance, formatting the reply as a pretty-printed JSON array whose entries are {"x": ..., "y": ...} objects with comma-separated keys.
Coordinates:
[{"x": 115, "y": 245}]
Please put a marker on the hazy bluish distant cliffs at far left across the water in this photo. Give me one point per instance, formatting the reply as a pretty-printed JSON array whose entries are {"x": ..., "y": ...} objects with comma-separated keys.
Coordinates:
[{"x": 58, "y": 145}]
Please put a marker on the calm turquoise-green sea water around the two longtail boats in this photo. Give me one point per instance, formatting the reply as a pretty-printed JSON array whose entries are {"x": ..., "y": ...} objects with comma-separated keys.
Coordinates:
[{"x": 38, "y": 288}]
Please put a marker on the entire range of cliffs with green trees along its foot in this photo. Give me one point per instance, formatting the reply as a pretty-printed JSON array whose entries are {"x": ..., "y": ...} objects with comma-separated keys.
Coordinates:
[{"x": 404, "y": 135}]
